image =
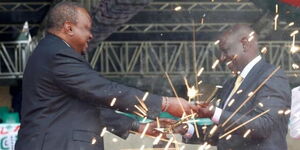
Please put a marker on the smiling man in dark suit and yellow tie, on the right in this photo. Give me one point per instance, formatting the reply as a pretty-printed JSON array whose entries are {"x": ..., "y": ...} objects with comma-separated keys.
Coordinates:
[{"x": 239, "y": 49}]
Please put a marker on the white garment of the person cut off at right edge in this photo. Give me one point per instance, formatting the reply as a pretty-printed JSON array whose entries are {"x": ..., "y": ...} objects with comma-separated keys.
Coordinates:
[{"x": 295, "y": 114}]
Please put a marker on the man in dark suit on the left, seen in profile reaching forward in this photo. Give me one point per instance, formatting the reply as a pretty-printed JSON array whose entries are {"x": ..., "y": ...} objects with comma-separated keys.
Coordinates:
[{"x": 62, "y": 94}]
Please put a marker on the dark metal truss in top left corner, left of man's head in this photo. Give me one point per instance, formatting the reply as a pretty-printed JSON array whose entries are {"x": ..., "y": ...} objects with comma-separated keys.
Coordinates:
[{"x": 22, "y": 6}]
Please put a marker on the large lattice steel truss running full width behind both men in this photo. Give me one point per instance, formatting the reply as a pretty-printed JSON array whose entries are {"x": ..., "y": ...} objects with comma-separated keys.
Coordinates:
[{"x": 148, "y": 58}]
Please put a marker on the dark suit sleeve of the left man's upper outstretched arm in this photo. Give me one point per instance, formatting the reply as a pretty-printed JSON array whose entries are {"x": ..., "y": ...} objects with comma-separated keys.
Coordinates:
[{"x": 75, "y": 77}]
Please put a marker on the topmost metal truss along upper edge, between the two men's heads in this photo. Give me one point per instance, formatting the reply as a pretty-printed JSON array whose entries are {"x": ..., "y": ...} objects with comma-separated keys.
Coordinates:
[{"x": 203, "y": 6}]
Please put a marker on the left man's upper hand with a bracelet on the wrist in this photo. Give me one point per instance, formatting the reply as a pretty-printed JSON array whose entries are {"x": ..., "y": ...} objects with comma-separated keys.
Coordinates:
[{"x": 176, "y": 106}]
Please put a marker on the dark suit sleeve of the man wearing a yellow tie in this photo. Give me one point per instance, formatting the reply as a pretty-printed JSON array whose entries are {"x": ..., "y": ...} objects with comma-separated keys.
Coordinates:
[{"x": 275, "y": 96}]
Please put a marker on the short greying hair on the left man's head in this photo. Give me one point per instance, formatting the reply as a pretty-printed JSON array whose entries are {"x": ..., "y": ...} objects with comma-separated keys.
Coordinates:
[{"x": 62, "y": 12}]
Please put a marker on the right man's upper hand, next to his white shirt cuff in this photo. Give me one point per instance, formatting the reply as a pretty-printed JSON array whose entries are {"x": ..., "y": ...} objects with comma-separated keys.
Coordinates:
[{"x": 205, "y": 110}]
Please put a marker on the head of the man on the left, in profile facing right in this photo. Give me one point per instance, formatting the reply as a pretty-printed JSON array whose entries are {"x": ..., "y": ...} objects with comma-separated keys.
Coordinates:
[{"x": 72, "y": 23}]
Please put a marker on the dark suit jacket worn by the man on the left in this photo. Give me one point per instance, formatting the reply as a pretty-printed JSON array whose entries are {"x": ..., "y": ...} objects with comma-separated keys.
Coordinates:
[{"x": 61, "y": 97}]
